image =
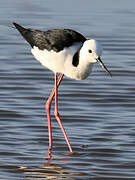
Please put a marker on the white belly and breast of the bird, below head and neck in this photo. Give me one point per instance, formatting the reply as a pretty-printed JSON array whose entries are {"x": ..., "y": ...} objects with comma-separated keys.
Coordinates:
[{"x": 61, "y": 62}]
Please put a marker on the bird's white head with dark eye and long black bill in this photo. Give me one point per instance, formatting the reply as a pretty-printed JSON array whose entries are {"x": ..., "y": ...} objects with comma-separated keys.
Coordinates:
[{"x": 91, "y": 51}]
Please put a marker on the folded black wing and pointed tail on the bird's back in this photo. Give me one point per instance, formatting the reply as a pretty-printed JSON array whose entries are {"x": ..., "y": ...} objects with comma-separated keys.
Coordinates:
[{"x": 55, "y": 39}]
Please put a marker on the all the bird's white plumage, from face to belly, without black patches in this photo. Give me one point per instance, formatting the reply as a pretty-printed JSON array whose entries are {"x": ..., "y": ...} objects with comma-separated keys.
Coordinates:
[{"x": 61, "y": 62}]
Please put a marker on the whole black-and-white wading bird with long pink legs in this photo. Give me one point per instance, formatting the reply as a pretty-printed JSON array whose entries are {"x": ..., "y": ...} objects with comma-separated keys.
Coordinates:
[{"x": 66, "y": 52}]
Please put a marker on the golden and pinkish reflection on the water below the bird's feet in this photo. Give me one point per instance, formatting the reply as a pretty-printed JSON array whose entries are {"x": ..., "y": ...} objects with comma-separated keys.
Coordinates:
[{"x": 54, "y": 168}]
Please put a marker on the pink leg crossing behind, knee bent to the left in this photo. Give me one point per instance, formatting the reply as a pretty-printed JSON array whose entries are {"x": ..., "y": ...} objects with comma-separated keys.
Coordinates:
[{"x": 48, "y": 107}]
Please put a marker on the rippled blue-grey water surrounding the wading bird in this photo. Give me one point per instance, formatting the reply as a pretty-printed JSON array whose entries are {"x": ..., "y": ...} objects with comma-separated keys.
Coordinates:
[{"x": 98, "y": 113}]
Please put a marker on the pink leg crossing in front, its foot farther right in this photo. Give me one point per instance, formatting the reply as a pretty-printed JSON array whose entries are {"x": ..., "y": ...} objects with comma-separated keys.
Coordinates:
[{"x": 58, "y": 117}]
